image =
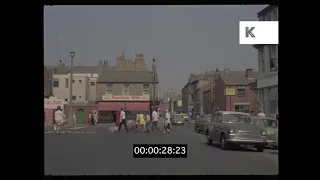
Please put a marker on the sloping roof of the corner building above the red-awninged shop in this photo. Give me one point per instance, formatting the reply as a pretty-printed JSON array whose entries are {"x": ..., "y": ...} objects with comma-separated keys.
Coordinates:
[{"x": 127, "y": 77}]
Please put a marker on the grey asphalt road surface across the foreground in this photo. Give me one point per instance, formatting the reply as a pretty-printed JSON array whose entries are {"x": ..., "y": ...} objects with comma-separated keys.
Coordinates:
[{"x": 104, "y": 151}]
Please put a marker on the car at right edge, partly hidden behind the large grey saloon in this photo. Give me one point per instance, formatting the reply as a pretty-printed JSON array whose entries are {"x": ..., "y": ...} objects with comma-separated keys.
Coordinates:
[{"x": 270, "y": 125}]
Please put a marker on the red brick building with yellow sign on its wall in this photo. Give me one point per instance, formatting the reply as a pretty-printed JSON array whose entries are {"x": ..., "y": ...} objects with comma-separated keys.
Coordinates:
[{"x": 238, "y": 81}]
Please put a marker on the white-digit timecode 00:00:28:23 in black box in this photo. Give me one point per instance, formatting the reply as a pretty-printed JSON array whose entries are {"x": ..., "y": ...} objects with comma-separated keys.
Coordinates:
[{"x": 160, "y": 151}]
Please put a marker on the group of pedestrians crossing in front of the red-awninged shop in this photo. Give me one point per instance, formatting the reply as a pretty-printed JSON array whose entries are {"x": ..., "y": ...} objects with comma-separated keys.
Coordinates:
[{"x": 144, "y": 122}]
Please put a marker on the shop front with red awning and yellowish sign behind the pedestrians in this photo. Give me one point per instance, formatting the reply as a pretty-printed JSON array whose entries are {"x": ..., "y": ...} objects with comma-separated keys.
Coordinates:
[{"x": 110, "y": 105}]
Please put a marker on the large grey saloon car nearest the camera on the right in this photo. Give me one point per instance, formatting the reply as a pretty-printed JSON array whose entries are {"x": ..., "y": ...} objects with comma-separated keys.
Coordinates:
[{"x": 235, "y": 128}]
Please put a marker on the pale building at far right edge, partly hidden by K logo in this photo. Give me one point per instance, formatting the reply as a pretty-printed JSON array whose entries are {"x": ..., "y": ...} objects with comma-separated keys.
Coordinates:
[{"x": 267, "y": 83}]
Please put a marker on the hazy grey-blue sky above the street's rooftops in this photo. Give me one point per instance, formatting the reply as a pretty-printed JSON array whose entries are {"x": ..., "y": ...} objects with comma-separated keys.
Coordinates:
[{"x": 183, "y": 39}]
